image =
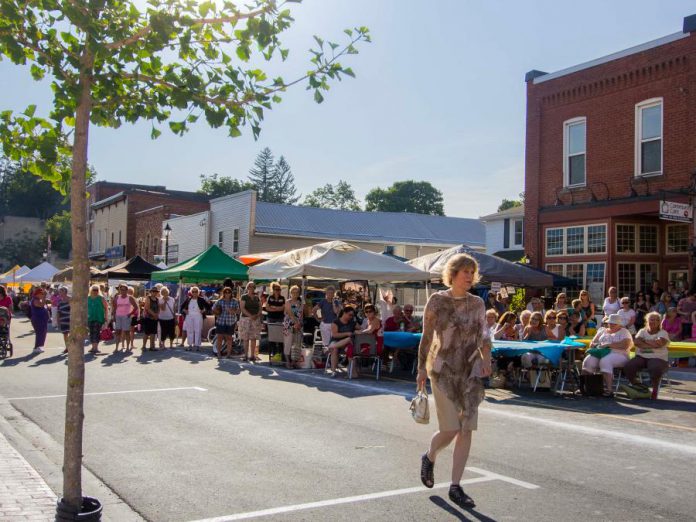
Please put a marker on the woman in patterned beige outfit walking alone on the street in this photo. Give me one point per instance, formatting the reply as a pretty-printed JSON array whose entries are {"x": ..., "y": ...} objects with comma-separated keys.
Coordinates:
[{"x": 455, "y": 352}]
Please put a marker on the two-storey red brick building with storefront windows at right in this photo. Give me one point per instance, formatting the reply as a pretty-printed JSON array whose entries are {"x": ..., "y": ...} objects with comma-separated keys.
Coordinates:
[{"x": 606, "y": 141}]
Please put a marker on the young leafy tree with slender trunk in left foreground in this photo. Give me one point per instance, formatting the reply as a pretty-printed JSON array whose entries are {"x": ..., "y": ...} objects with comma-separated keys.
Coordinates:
[{"x": 112, "y": 62}]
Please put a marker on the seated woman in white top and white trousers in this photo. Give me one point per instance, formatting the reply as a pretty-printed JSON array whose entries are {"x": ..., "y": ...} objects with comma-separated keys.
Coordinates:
[{"x": 617, "y": 340}]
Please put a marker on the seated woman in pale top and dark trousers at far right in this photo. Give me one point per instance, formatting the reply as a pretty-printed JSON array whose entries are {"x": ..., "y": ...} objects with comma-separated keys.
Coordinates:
[{"x": 651, "y": 353}]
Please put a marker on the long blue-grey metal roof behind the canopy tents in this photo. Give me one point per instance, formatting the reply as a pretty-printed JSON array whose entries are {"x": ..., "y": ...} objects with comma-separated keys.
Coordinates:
[{"x": 386, "y": 227}]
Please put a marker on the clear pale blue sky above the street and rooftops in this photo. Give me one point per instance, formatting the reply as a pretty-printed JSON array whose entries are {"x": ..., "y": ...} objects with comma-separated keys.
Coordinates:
[{"x": 439, "y": 96}]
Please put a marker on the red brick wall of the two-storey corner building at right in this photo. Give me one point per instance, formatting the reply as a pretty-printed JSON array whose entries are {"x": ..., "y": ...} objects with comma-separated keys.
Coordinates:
[{"x": 606, "y": 95}]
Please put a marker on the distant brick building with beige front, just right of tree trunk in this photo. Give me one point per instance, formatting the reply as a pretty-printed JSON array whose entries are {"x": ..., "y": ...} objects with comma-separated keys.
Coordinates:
[{"x": 126, "y": 219}]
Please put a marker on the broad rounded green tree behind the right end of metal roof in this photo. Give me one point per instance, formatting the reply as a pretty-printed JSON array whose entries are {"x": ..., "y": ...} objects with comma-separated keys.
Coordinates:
[{"x": 419, "y": 197}]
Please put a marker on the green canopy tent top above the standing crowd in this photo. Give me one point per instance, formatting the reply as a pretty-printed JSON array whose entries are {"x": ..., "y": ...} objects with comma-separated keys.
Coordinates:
[{"x": 211, "y": 265}]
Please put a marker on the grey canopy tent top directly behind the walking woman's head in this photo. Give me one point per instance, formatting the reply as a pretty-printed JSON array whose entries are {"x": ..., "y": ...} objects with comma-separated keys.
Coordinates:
[{"x": 491, "y": 268}]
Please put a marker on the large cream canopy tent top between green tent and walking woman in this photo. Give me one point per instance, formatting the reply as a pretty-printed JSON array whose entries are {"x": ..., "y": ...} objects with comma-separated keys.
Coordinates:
[{"x": 336, "y": 260}]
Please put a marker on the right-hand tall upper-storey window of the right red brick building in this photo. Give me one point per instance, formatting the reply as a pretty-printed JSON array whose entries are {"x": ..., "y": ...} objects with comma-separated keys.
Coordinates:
[{"x": 649, "y": 137}]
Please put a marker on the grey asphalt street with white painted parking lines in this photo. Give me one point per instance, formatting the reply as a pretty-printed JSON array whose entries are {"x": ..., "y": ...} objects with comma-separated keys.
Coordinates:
[{"x": 179, "y": 436}]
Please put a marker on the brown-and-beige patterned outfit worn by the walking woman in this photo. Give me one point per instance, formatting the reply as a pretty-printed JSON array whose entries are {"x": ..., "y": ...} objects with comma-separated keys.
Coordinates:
[{"x": 454, "y": 341}]
